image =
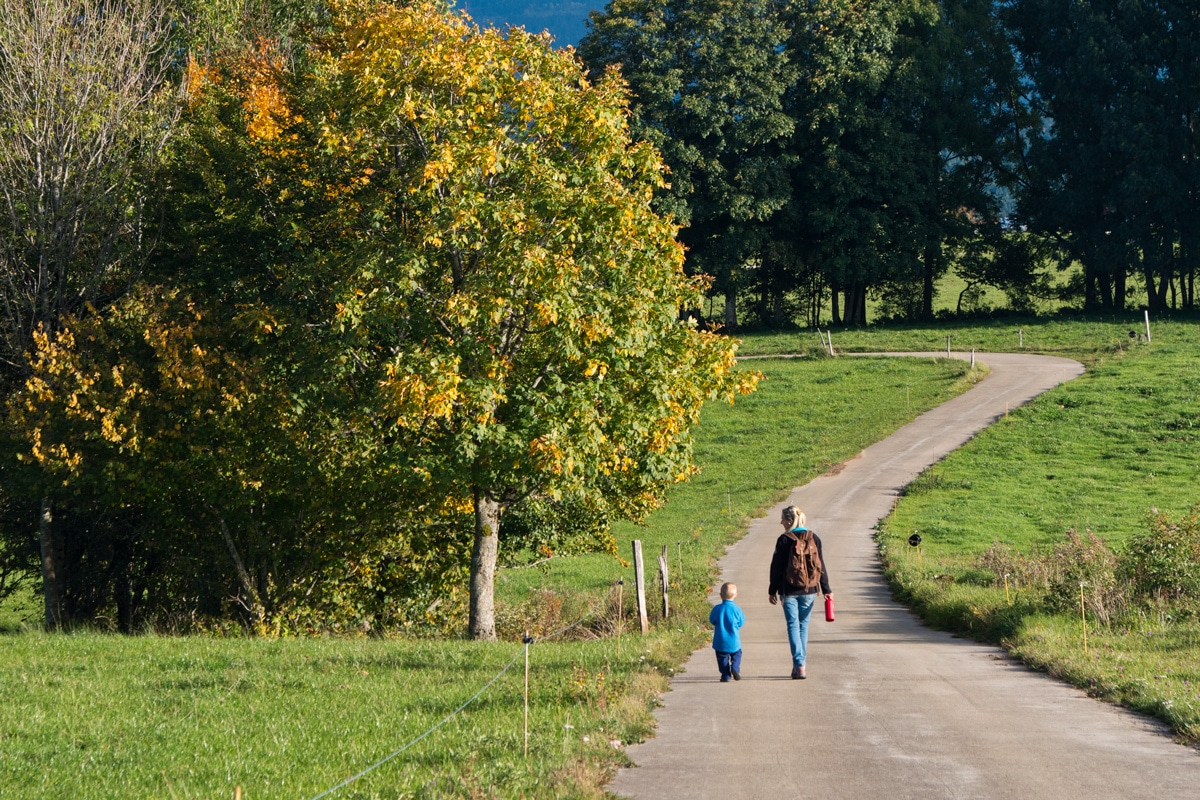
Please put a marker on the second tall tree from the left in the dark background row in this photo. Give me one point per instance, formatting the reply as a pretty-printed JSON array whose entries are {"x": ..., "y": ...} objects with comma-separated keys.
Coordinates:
[{"x": 853, "y": 157}]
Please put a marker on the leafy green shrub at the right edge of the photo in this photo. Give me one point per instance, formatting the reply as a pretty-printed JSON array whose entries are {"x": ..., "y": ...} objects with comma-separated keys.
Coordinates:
[{"x": 1163, "y": 562}]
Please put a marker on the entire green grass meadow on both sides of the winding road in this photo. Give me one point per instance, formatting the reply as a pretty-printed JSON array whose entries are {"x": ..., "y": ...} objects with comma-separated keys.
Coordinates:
[{"x": 98, "y": 715}]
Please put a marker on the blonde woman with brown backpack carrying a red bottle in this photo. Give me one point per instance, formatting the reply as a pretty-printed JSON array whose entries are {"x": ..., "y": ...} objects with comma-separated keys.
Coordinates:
[{"x": 797, "y": 573}]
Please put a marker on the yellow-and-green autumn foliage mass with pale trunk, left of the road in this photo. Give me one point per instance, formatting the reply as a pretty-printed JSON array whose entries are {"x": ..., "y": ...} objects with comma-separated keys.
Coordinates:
[{"x": 418, "y": 274}]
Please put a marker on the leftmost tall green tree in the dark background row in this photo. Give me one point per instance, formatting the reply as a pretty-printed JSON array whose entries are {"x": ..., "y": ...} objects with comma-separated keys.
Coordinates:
[{"x": 709, "y": 80}]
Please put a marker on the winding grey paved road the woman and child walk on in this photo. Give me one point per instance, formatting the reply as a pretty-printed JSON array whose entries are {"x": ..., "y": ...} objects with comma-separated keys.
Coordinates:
[{"x": 892, "y": 709}]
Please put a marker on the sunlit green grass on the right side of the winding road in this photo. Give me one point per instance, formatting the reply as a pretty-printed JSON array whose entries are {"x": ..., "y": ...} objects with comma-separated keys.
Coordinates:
[{"x": 1096, "y": 455}]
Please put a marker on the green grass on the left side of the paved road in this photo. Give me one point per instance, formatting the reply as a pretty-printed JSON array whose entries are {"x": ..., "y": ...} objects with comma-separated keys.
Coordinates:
[{"x": 97, "y": 715}]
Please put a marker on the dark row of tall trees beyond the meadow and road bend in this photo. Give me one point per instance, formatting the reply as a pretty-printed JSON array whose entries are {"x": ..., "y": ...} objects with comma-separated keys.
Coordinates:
[{"x": 826, "y": 151}]
